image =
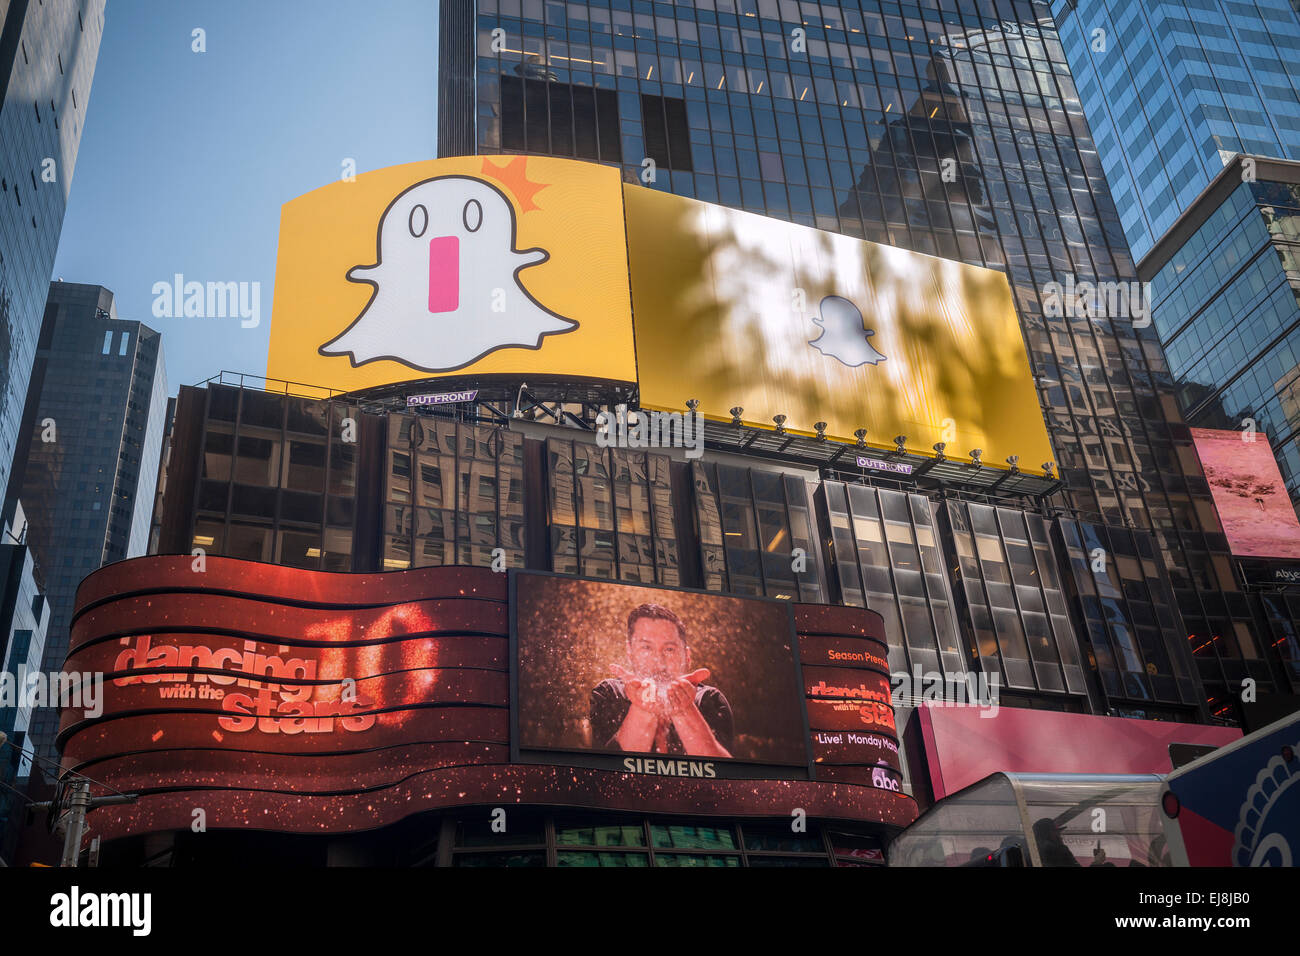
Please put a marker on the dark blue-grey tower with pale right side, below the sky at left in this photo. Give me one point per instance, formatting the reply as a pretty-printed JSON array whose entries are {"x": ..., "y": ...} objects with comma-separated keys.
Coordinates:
[{"x": 94, "y": 427}]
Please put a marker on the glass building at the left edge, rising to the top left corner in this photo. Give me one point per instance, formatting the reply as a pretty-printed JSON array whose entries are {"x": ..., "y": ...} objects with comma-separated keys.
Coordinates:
[{"x": 47, "y": 63}]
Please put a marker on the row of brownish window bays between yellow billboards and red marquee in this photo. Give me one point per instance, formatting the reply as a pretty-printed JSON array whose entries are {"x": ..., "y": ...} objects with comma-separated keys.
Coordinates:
[{"x": 967, "y": 587}]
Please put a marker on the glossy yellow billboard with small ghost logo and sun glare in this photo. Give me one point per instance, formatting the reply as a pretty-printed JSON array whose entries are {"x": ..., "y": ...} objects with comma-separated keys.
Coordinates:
[{"x": 781, "y": 319}]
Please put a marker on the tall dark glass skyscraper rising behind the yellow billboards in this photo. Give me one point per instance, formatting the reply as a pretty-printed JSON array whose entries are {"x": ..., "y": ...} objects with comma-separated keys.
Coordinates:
[{"x": 947, "y": 128}]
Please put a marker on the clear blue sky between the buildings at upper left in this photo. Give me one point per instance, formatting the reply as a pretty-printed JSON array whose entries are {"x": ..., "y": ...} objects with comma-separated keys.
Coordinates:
[{"x": 187, "y": 158}]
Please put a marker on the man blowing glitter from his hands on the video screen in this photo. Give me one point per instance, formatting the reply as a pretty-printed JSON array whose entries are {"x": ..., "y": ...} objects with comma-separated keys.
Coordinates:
[{"x": 660, "y": 706}]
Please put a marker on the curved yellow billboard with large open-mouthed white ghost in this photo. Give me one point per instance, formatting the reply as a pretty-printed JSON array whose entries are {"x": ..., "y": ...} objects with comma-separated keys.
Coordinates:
[{"x": 479, "y": 265}]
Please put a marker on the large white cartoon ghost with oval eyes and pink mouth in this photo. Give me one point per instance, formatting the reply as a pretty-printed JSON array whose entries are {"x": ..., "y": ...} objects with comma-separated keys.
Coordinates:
[{"x": 447, "y": 282}]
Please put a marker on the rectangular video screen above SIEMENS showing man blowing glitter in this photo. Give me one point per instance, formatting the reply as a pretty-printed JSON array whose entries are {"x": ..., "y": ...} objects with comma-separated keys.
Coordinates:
[{"x": 617, "y": 669}]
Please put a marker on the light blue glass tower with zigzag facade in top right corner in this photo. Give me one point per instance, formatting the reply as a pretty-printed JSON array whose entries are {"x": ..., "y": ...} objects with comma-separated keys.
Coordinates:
[{"x": 1175, "y": 90}]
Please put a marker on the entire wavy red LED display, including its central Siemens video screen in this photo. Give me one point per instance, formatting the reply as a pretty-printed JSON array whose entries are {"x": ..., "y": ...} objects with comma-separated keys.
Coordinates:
[{"x": 311, "y": 702}]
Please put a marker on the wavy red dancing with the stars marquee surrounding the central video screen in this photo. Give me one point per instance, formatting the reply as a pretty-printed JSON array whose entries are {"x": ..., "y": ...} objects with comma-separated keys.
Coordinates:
[{"x": 307, "y": 702}]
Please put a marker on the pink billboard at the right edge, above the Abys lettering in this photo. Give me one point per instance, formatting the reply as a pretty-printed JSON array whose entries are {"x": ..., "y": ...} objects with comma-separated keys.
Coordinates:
[{"x": 1253, "y": 503}]
